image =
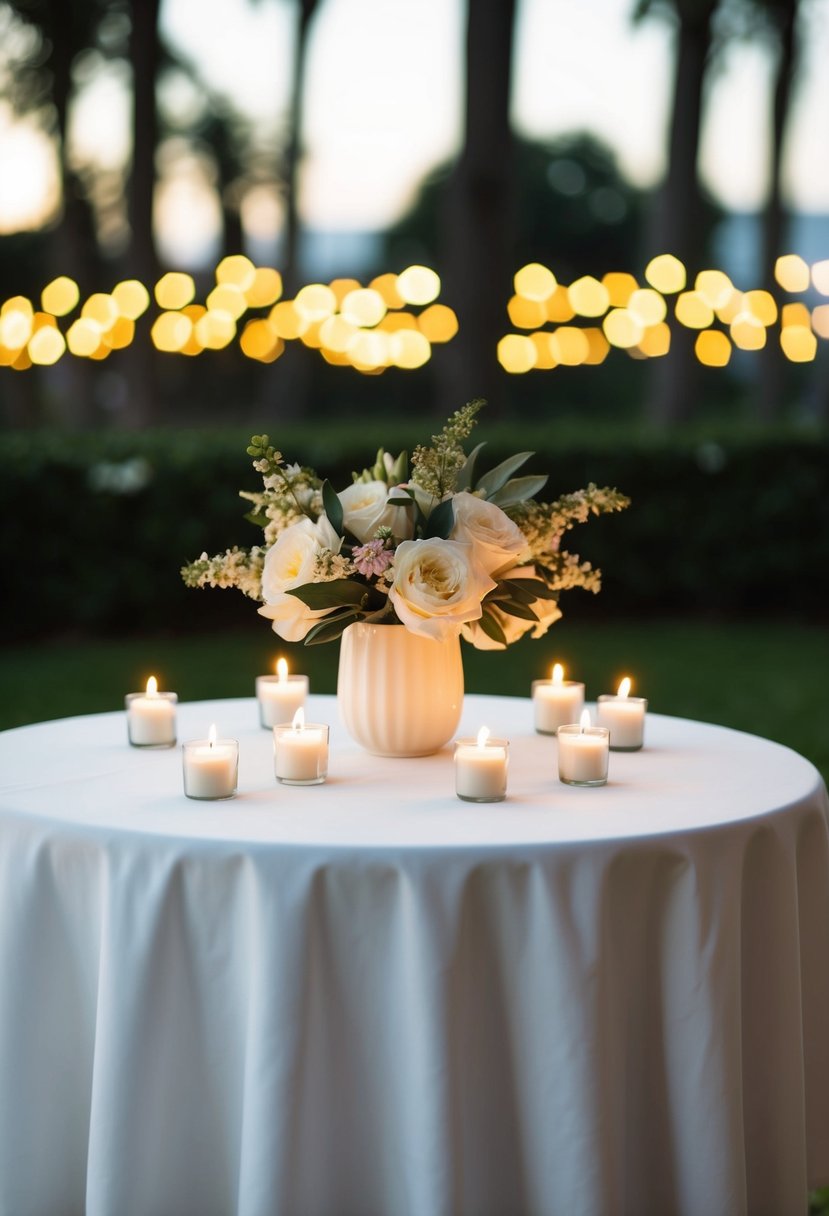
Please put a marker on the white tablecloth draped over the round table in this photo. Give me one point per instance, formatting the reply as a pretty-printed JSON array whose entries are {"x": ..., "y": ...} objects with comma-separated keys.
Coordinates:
[{"x": 370, "y": 998}]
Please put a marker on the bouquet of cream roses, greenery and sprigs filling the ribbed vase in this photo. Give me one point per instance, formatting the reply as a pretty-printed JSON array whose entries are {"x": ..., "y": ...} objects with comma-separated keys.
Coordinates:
[{"x": 442, "y": 548}]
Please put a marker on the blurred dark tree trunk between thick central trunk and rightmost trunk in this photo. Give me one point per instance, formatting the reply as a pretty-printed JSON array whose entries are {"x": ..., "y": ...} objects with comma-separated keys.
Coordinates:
[{"x": 680, "y": 217}]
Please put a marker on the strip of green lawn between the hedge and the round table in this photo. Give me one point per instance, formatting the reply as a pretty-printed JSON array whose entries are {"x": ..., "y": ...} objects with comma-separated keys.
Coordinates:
[{"x": 768, "y": 679}]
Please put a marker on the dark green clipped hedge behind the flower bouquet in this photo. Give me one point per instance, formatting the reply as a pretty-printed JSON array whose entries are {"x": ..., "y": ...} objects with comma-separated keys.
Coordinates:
[{"x": 720, "y": 526}]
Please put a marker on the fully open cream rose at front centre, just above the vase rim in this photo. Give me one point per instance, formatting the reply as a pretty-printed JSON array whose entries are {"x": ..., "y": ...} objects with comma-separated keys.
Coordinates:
[{"x": 438, "y": 587}]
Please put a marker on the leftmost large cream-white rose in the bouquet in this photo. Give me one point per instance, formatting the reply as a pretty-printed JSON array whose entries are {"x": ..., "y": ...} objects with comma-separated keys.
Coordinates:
[{"x": 291, "y": 562}]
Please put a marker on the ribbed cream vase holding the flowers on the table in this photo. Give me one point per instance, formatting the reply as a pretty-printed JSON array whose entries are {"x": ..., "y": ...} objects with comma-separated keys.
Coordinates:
[{"x": 399, "y": 695}]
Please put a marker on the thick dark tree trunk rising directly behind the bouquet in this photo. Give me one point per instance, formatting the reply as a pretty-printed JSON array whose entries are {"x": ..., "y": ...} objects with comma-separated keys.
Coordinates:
[{"x": 480, "y": 211}]
